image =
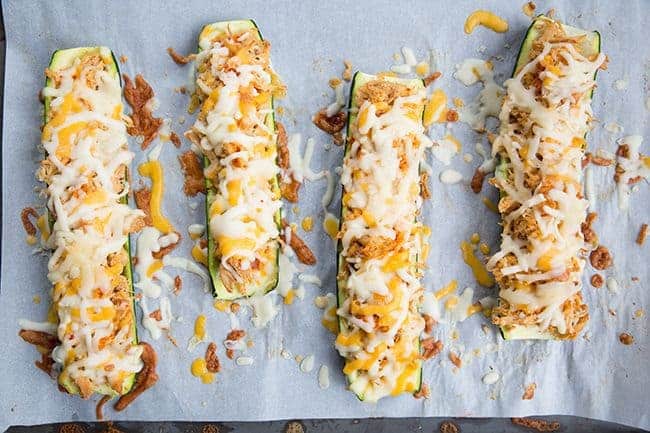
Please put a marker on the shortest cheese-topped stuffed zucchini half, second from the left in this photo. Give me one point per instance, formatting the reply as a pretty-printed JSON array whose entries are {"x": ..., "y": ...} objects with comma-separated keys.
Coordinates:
[{"x": 235, "y": 85}]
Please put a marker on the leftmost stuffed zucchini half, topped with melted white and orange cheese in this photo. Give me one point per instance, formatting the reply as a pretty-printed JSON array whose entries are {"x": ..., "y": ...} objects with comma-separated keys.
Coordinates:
[{"x": 85, "y": 171}]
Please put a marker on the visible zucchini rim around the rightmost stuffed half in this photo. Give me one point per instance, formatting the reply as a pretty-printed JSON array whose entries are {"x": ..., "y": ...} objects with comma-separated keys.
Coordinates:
[{"x": 527, "y": 332}]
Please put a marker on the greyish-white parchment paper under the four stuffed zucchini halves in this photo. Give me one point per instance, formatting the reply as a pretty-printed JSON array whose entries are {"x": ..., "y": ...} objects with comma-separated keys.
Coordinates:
[{"x": 594, "y": 377}]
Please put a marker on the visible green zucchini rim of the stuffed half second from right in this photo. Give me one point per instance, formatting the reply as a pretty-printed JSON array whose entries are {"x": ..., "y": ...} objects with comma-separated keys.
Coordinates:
[{"x": 340, "y": 295}]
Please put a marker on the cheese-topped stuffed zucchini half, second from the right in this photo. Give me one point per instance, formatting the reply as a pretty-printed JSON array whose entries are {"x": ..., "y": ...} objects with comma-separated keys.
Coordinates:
[{"x": 382, "y": 246}]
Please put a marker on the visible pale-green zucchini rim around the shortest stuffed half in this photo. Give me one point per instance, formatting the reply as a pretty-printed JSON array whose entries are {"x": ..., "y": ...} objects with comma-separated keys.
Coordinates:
[{"x": 219, "y": 290}]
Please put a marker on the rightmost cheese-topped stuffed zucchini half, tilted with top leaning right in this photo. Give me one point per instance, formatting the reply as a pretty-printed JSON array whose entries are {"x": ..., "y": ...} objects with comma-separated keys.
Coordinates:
[{"x": 541, "y": 142}]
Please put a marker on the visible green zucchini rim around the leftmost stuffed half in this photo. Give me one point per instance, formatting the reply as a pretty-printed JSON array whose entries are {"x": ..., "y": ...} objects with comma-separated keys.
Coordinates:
[{"x": 67, "y": 383}]
